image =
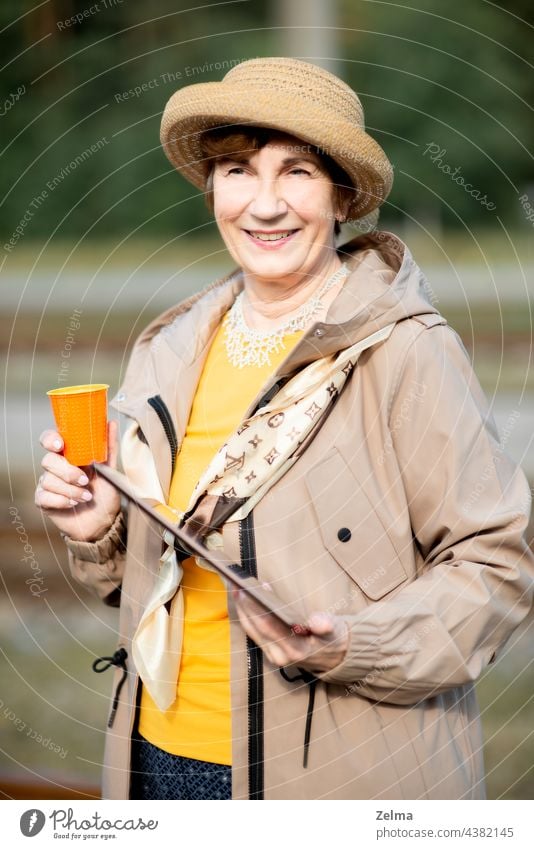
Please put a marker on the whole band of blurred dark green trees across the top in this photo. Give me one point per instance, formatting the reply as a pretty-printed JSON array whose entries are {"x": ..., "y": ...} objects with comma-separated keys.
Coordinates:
[{"x": 99, "y": 74}]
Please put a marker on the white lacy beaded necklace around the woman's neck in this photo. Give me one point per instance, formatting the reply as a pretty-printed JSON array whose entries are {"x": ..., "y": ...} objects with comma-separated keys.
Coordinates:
[{"x": 248, "y": 347}]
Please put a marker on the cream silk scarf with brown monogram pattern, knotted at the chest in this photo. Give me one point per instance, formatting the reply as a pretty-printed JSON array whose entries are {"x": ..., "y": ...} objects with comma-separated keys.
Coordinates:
[{"x": 256, "y": 455}]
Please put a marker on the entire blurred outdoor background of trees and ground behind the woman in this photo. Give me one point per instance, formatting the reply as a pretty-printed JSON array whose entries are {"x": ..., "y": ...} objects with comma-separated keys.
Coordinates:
[{"x": 95, "y": 223}]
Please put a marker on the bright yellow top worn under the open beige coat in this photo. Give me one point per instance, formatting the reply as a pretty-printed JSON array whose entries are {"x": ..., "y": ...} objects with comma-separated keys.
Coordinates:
[{"x": 198, "y": 724}]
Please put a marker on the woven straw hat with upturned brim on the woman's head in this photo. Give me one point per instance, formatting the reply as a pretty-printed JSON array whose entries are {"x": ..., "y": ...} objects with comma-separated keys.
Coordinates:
[{"x": 289, "y": 95}]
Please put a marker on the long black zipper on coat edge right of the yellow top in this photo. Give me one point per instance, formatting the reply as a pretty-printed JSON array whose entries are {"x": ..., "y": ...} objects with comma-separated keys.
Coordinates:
[{"x": 247, "y": 549}]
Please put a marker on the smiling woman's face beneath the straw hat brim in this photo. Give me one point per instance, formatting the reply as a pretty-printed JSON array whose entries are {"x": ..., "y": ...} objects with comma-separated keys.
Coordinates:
[{"x": 275, "y": 209}]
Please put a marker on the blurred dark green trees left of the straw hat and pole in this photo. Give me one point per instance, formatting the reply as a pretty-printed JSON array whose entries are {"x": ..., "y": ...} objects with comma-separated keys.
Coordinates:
[{"x": 103, "y": 78}]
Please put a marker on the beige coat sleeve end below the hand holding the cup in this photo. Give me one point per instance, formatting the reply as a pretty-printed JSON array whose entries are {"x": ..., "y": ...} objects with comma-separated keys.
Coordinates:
[{"x": 99, "y": 565}]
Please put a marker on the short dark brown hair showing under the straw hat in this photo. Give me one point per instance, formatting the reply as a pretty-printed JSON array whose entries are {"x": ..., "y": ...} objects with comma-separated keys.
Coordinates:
[{"x": 239, "y": 140}]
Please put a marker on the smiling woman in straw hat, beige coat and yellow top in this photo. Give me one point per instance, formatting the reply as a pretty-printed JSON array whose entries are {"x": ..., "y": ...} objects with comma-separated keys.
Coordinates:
[{"x": 274, "y": 414}]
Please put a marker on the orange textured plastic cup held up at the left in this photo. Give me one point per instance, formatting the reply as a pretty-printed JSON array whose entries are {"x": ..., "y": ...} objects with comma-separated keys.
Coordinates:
[{"x": 81, "y": 419}]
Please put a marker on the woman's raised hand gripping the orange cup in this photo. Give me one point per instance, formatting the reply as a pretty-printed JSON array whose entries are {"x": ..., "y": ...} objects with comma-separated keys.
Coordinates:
[{"x": 79, "y": 502}]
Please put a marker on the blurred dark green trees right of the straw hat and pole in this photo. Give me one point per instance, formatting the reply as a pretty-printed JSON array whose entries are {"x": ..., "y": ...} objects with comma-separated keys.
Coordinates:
[{"x": 457, "y": 78}]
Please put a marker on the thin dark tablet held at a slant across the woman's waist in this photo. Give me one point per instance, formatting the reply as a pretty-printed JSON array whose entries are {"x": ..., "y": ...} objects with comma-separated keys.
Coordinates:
[{"x": 233, "y": 573}]
